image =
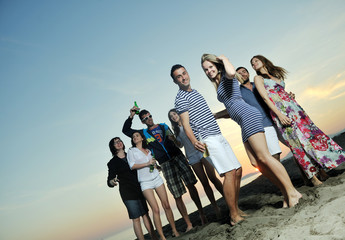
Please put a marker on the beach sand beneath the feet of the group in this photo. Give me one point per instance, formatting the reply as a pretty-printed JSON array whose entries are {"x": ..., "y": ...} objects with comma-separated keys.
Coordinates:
[{"x": 320, "y": 214}]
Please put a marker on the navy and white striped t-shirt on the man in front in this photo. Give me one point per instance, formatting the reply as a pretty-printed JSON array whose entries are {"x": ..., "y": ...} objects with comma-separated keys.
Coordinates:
[{"x": 201, "y": 118}]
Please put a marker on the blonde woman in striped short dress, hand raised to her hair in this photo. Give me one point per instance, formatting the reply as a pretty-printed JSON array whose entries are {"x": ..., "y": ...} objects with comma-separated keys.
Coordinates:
[{"x": 224, "y": 77}]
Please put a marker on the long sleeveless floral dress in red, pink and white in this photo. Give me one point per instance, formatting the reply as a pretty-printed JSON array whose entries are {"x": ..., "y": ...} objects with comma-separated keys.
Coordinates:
[{"x": 309, "y": 145}]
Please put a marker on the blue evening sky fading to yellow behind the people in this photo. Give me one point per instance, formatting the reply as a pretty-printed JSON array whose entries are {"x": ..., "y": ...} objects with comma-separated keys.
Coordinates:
[{"x": 71, "y": 70}]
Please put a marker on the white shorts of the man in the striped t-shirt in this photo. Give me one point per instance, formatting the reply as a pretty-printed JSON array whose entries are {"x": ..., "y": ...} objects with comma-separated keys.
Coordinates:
[{"x": 221, "y": 155}]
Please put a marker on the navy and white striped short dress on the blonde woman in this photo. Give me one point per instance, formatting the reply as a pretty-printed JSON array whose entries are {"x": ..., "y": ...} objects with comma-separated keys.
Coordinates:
[{"x": 245, "y": 115}]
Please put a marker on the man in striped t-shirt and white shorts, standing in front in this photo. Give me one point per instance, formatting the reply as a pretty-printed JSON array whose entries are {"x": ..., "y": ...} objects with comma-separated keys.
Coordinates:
[{"x": 203, "y": 131}]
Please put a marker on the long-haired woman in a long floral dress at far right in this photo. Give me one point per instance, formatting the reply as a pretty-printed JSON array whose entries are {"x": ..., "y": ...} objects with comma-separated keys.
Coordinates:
[{"x": 313, "y": 149}]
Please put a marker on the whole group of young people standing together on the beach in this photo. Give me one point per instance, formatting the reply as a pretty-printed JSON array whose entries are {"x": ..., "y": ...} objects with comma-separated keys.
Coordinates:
[{"x": 265, "y": 113}]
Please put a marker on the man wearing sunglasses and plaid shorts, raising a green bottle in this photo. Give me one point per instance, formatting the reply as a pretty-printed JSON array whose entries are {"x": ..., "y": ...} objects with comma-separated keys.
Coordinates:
[{"x": 175, "y": 167}]
